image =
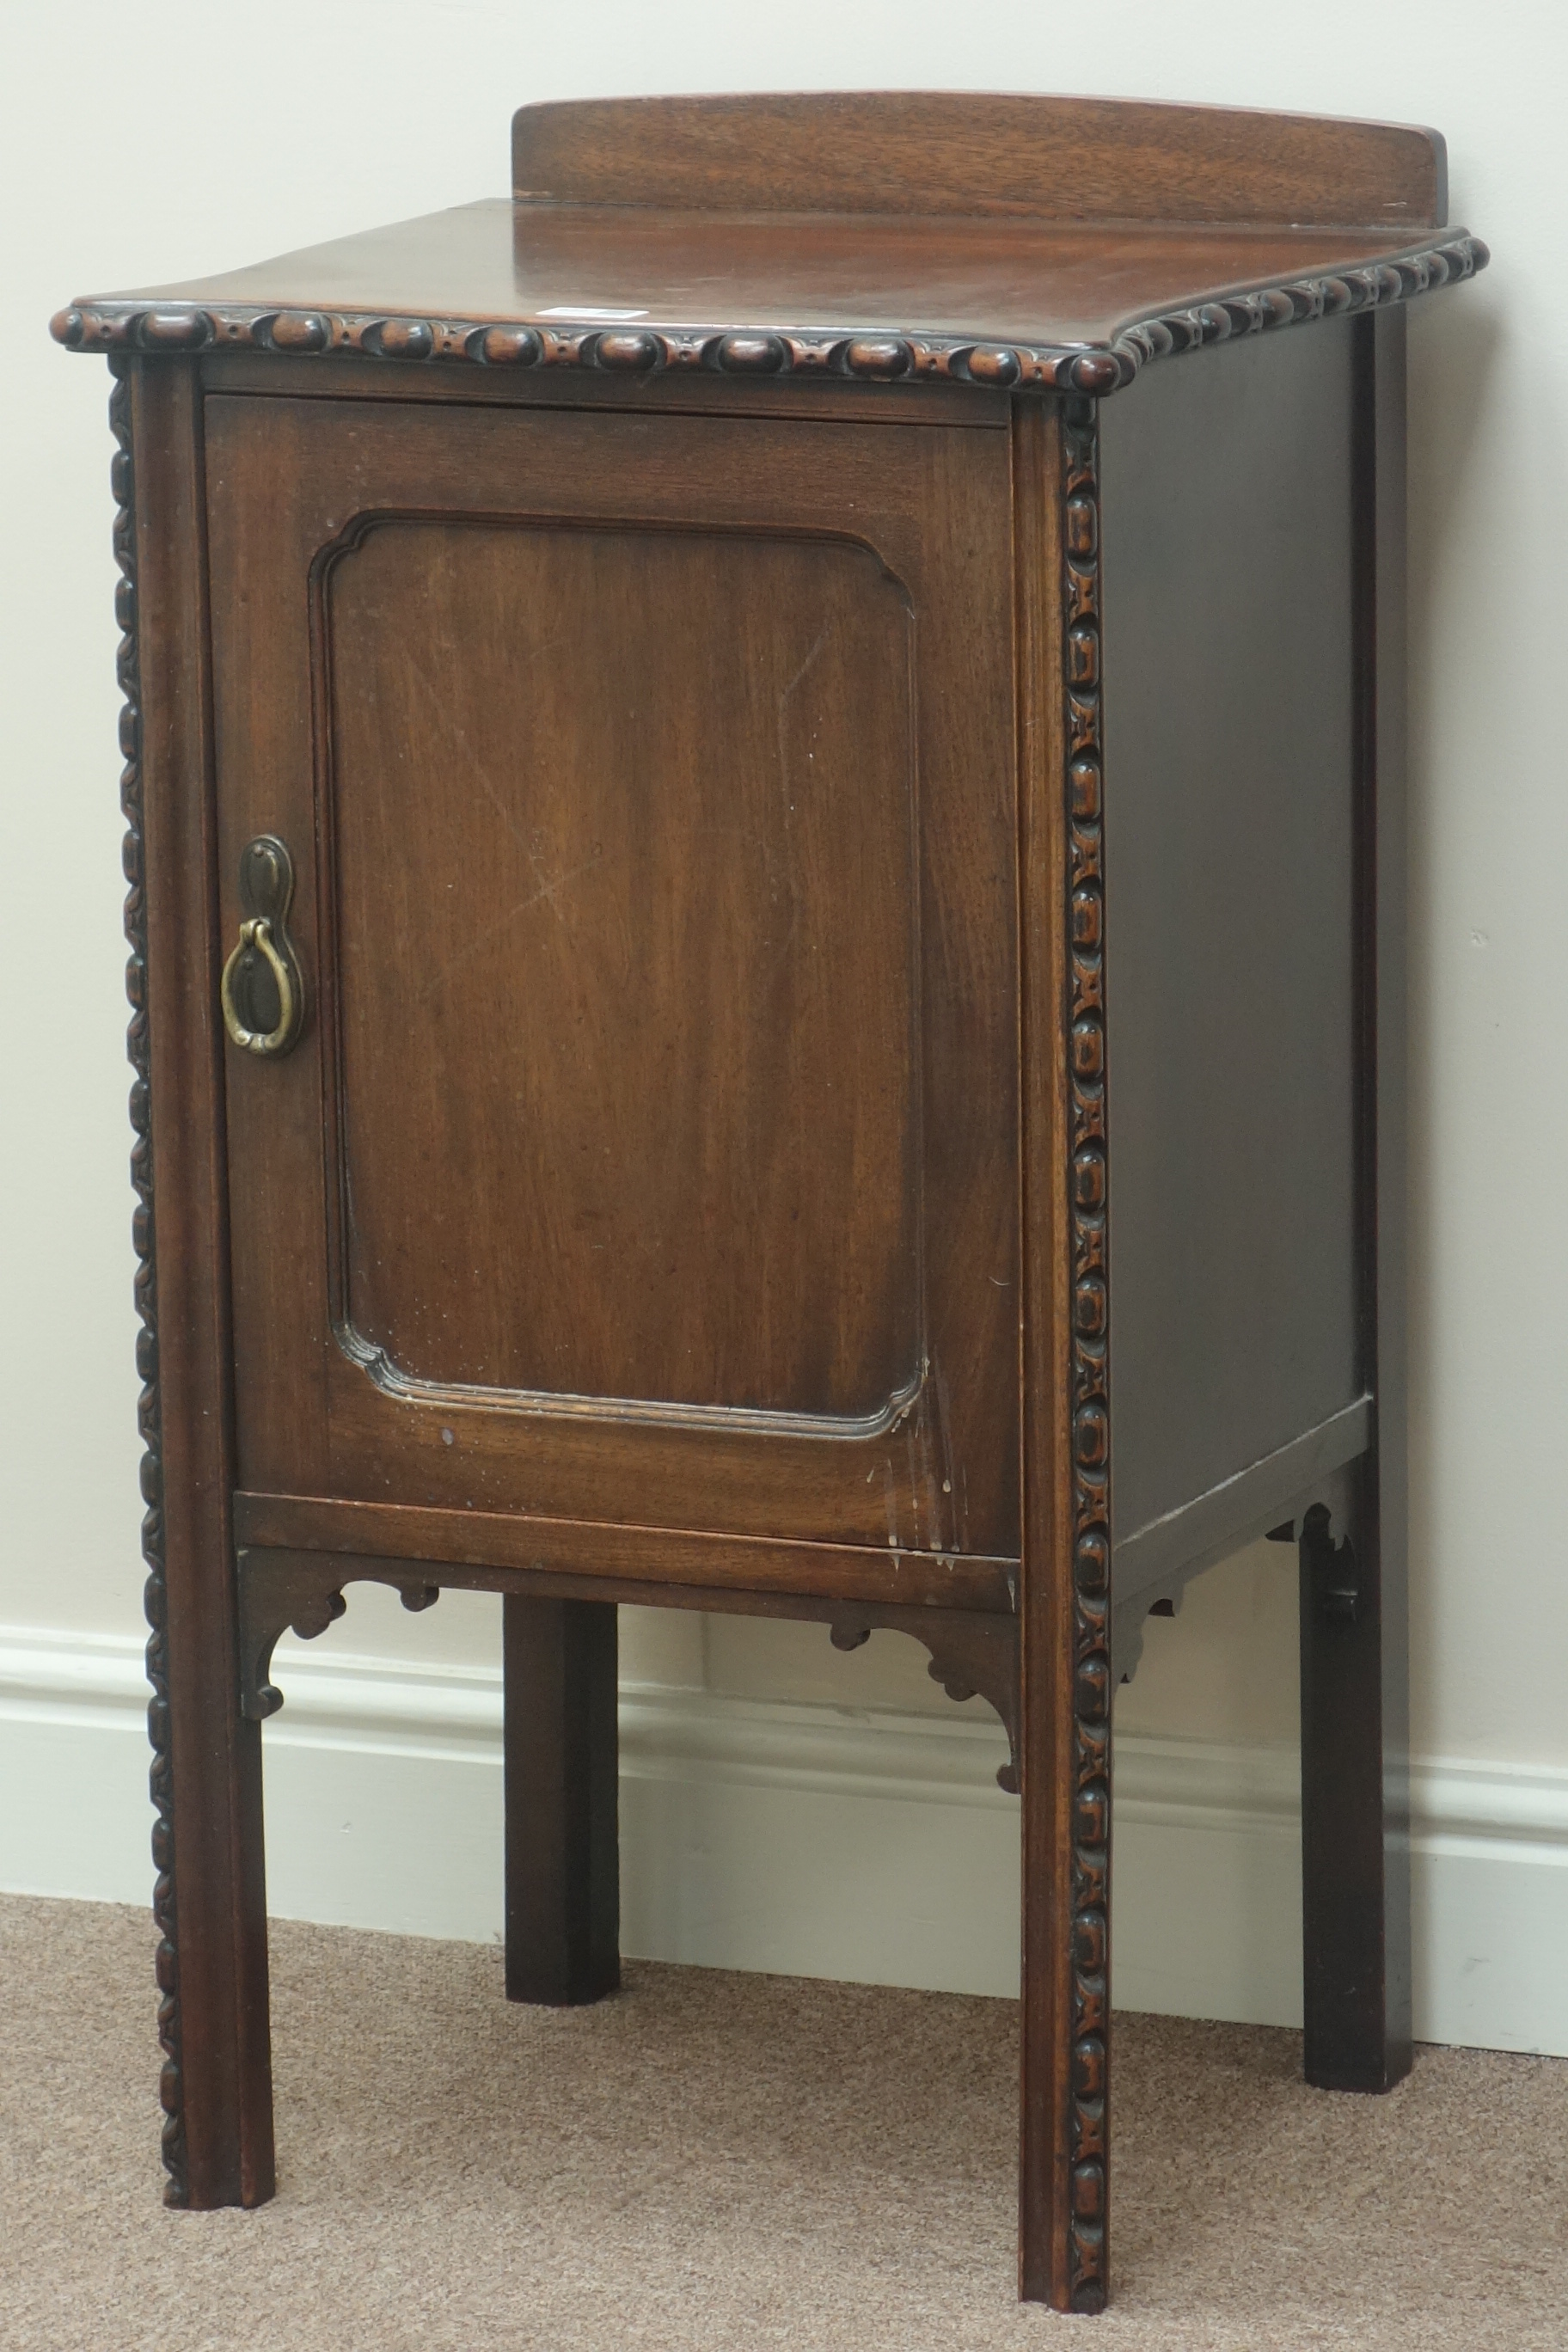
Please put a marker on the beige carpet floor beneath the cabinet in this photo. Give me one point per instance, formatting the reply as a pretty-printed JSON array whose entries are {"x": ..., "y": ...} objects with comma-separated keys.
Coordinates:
[{"x": 732, "y": 2163}]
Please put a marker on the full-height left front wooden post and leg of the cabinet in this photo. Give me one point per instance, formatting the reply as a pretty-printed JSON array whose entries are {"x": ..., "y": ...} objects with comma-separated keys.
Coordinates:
[{"x": 210, "y": 1836}]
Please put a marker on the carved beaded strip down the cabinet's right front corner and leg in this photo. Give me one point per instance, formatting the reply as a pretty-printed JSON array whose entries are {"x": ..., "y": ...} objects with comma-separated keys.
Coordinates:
[{"x": 1087, "y": 1210}]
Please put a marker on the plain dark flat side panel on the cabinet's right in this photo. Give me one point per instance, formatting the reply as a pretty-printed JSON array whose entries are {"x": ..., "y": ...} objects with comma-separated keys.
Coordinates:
[{"x": 1231, "y": 864}]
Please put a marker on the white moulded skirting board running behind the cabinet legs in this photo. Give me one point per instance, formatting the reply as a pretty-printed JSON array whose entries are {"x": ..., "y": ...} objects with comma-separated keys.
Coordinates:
[{"x": 798, "y": 1840}]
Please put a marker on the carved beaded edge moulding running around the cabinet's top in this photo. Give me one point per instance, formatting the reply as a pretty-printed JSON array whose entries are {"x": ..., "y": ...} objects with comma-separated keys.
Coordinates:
[{"x": 873, "y": 356}]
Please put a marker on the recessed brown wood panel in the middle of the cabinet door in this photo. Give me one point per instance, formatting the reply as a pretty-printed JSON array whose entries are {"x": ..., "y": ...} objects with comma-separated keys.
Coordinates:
[{"x": 721, "y": 848}]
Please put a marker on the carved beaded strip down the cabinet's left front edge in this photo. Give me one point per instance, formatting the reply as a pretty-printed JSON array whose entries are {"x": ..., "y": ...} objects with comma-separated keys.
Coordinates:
[{"x": 177, "y": 2191}]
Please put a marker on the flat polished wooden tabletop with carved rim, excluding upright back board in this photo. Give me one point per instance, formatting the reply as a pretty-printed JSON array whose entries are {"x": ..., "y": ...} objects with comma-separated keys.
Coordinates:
[{"x": 1028, "y": 307}]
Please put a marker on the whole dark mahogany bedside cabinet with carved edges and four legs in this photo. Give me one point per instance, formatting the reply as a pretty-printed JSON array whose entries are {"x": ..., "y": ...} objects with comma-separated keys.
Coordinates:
[{"x": 768, "y": 897}]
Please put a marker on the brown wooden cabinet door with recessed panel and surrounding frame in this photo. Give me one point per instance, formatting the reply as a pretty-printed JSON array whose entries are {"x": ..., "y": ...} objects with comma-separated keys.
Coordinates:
[{"x": 650, "y": 1147}]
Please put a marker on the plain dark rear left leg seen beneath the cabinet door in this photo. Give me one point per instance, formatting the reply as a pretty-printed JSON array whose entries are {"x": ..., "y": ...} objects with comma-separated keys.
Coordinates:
[{"x": 563, "y": 1857}]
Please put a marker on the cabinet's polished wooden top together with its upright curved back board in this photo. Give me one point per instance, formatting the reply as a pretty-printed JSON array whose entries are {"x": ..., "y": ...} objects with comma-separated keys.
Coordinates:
[{"x": 1005, "y": 241}]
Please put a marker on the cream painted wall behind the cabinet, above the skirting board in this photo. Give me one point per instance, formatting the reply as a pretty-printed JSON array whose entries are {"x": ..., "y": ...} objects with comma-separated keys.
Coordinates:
[{"x": 192, "y": 135}]
